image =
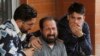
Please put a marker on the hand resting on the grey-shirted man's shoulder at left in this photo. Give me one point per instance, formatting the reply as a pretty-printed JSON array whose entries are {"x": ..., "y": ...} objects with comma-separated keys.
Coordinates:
[{"x": 35, "y": 42}]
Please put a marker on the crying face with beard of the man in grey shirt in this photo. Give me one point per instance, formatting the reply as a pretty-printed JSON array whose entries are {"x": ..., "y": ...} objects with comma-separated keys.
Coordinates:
[{"x": 49, "y": 31}]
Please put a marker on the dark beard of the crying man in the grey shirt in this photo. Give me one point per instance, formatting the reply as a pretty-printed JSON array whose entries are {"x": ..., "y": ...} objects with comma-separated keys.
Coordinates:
[{"x": 50, "y": 38}]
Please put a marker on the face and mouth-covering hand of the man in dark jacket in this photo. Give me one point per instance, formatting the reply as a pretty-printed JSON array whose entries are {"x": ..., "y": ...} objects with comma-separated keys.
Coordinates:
[{"x": 76, "y": 21}]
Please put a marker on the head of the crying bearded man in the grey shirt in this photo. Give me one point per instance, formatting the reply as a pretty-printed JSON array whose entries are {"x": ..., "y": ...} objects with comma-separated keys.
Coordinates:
[{"x": 48, "y": 29}]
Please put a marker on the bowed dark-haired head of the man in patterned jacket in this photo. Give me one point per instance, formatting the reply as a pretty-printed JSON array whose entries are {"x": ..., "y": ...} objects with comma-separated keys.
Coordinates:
[{"x": 25, "y": 16}]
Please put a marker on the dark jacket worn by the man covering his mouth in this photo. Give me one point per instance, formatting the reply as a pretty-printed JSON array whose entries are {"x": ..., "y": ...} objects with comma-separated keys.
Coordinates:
[{"x": 75, "y": 46}]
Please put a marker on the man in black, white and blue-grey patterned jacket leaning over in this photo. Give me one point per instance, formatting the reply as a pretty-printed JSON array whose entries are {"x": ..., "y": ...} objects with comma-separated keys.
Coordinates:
[{"x": 11, "y": 31}]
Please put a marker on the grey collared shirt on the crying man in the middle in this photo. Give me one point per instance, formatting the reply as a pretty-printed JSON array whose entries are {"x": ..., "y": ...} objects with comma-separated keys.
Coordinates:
[{"x": 57, "y": 50}]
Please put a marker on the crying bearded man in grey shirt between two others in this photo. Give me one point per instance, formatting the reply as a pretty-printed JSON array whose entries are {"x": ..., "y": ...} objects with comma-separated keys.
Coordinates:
[{"x": 51, "y": 45}]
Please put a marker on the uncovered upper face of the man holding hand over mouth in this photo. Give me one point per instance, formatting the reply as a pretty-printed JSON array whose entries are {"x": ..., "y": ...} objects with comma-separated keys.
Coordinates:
[{"x": 76, "y": 18}]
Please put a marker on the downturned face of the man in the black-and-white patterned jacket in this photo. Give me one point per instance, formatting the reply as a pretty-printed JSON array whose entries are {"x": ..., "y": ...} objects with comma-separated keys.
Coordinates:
[{"x": 27, "y": 25}]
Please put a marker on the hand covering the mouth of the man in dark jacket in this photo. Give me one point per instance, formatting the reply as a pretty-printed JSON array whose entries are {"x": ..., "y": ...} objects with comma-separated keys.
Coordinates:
[{"x": 76, "y": 29}]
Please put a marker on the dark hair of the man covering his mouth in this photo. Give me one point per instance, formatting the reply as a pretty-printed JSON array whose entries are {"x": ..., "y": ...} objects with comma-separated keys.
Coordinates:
[{"x": 76, "y": 7}]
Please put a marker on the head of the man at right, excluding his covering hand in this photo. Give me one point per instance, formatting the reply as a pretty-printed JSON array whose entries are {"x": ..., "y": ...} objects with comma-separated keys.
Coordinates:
[{"x": 76, "y": 13}]
